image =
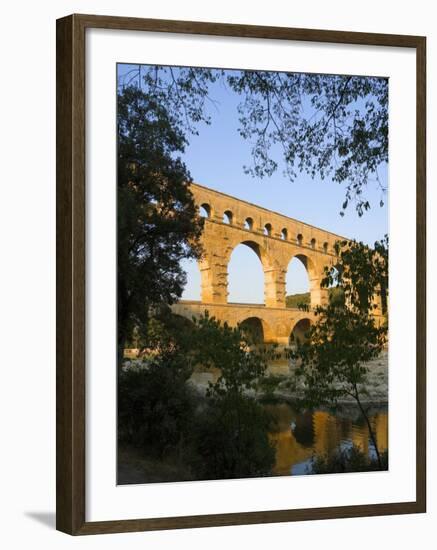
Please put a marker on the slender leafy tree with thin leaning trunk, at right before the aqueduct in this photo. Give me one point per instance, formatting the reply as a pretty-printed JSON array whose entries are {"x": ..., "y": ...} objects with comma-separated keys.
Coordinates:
[{"x": 332, "y": 362}]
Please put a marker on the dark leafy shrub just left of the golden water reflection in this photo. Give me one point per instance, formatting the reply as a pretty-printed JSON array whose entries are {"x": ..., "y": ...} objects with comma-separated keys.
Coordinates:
[{"x": 232, "y": 434}]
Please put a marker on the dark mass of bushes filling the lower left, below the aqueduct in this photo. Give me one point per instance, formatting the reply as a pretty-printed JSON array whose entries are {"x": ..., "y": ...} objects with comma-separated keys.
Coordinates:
[{"x": 223, "y": 436}]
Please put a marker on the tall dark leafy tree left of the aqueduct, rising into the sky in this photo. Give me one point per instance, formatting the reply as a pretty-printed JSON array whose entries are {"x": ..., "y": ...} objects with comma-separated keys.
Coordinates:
[{"x": 158, "y": 224}]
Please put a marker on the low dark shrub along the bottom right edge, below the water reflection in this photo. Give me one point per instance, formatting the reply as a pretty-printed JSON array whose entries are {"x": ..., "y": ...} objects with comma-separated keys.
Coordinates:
[{"x": 351, "y": 459}]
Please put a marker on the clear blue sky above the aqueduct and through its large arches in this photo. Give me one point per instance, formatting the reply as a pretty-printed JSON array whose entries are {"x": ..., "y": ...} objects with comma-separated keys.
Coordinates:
[{"x": 215, "y": 159}]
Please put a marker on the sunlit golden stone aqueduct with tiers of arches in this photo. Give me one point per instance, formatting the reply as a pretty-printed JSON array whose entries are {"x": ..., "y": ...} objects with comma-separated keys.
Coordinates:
[{"x": 276, "y": 239}]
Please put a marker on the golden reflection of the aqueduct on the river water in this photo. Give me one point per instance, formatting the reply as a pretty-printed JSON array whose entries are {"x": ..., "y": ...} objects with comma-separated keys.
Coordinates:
[{"x": 298, "y": 436}]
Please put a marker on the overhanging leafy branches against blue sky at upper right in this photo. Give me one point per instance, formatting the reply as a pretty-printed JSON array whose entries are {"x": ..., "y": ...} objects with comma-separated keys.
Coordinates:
[{"x": 326, "y": 125}]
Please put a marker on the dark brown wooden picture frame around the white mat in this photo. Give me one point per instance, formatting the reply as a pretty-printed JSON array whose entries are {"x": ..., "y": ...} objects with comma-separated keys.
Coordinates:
[{"x": 70, "y": 205}]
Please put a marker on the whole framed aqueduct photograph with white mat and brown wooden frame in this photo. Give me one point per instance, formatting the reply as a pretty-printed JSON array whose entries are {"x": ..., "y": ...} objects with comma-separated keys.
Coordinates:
[{"x": 240, "y": 274}]
